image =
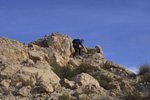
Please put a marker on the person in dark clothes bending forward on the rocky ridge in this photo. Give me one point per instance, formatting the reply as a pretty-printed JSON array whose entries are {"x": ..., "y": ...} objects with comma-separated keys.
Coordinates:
[{"x": 76, "y": 45}]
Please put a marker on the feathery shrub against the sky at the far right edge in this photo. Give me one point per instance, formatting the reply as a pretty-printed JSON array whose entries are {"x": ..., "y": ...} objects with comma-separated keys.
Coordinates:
[{"x": 145, "y": 68}]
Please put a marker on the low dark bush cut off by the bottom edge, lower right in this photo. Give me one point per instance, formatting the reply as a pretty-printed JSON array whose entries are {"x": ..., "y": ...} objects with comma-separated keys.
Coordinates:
[{"x": 133, "y": 96}]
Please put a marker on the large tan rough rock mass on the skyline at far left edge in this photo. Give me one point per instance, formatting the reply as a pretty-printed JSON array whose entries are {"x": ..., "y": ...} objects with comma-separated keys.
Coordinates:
[{"x": 13, "y": 50}]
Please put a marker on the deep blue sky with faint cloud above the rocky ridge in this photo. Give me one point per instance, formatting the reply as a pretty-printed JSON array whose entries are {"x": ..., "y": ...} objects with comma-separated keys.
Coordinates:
[{"x": 120, "y": 27}]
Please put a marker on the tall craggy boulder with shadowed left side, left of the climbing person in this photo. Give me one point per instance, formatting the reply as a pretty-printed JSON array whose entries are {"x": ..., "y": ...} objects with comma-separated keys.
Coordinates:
[{"x": 59, "y": 49}]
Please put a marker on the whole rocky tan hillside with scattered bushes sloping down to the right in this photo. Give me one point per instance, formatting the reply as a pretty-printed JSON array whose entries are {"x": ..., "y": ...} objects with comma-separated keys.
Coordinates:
[{"x": 45, "y": 70}]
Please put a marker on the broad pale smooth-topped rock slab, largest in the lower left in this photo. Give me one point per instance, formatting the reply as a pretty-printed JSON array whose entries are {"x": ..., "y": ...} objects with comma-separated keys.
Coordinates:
[{"x": 35, "y": 75}]
